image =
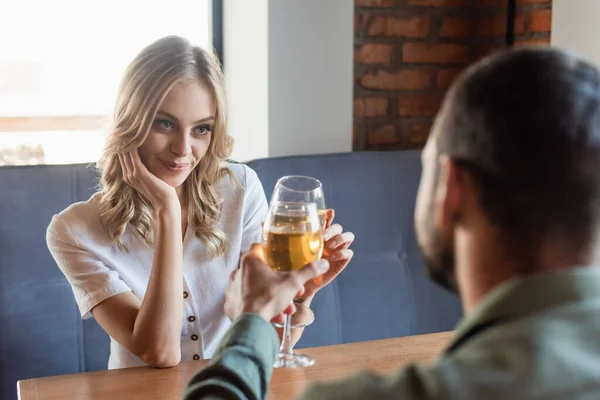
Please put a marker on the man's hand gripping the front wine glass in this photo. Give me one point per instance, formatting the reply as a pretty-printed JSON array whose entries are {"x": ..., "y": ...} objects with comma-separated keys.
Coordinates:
[{"x": 255, "y": 288}]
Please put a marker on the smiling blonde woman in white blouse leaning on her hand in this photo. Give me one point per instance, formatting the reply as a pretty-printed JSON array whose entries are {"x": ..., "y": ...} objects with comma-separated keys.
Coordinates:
[{"x": 150, "y": 254}]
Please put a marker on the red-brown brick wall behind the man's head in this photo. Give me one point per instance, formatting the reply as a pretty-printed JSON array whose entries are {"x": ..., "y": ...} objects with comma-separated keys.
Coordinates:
[{"x": 407, "y": 52}]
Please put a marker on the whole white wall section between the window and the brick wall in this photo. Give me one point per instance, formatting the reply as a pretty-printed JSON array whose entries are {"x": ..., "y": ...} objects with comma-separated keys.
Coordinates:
[{"x": 300, "y": 59}]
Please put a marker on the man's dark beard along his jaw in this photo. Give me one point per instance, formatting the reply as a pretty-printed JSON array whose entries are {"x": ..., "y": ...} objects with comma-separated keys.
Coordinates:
[{"x": 439, "y": 259}]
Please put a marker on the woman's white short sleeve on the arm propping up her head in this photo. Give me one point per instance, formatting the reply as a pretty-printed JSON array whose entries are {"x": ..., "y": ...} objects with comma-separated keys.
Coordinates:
[{"x": 91, "y": 280}]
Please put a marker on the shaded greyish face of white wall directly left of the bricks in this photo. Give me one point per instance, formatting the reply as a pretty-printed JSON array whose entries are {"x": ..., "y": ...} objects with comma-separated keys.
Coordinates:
[{"x": 310, "y": 76}]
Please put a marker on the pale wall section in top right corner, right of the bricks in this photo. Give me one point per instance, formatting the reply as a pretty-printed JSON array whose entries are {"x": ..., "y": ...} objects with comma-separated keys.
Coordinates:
[{"x": 576, "y": 27}]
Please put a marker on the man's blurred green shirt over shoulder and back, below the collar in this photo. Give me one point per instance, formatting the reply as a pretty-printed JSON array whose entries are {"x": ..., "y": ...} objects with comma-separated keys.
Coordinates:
[{"x": 541, "y": 356}]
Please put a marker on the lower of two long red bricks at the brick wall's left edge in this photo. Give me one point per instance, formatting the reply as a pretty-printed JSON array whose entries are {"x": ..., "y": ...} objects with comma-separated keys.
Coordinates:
[{"x": 404, "y": 79}]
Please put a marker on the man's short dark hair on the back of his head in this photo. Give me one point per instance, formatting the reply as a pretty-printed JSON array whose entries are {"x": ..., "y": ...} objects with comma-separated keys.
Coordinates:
[{"x": 526, "y": 124}]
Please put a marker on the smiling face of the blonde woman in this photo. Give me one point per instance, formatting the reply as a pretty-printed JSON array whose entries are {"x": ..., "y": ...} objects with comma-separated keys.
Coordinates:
[{"x": 180, "y": 133}]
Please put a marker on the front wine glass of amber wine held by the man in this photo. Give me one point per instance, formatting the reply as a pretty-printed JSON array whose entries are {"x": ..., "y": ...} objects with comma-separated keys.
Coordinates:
[{"x": 292, "y": 238}]
